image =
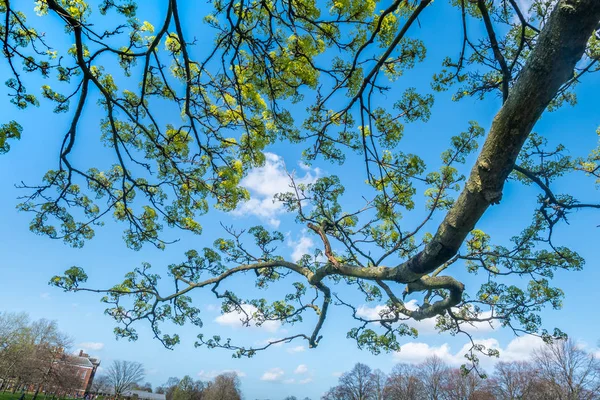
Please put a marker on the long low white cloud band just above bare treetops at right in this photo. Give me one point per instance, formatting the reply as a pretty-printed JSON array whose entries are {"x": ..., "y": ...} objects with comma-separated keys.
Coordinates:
[{"x": 518, "y": 349}]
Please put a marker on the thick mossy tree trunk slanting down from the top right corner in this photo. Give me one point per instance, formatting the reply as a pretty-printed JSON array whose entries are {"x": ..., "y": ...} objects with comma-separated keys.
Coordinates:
[{"x": 560, "y": 46}]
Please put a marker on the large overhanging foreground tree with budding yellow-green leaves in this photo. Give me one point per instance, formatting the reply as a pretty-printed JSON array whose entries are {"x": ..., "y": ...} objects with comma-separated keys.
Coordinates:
[{"x": 241, "y": 95}]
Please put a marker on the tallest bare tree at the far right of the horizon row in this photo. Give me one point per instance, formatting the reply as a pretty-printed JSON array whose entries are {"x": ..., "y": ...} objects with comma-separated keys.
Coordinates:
[{"x": 568, "y": 370}]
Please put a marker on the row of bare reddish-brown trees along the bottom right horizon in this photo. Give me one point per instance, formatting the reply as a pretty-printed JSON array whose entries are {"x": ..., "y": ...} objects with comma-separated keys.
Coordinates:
[{"x": 559, "y": 371}]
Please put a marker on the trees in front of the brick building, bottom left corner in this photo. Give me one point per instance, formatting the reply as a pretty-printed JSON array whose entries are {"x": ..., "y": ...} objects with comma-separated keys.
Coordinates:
[{"x": 32, "y": 356}]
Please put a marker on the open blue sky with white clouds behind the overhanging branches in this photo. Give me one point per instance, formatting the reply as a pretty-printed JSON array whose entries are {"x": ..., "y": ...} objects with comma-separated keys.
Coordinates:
[{"x": 28, "y": 261}]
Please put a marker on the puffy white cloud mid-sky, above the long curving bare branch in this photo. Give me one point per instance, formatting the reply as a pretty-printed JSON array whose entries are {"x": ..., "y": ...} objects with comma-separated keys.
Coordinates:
[{"x": 265, "y": 182}]
